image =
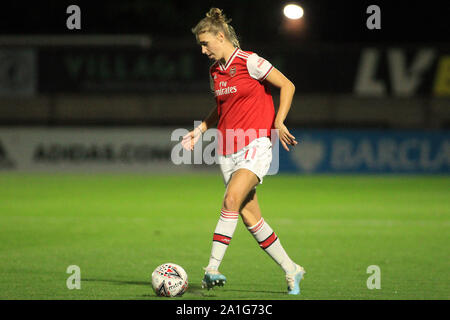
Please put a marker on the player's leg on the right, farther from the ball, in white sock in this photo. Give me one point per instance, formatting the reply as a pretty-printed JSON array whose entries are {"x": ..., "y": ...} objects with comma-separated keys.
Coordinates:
[{"x": 270, "y": 243}]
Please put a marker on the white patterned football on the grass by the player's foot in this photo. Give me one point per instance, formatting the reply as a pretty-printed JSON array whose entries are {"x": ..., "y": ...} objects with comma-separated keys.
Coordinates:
[{"x": 169, "y": 280}]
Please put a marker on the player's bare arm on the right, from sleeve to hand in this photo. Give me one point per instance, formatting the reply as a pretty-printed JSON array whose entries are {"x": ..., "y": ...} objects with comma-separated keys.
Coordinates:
[{"x": 287, "y": 90}]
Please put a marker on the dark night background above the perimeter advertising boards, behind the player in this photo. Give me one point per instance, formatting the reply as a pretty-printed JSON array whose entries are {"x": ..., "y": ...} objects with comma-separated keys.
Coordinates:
[{"x": 335, "y": 61}]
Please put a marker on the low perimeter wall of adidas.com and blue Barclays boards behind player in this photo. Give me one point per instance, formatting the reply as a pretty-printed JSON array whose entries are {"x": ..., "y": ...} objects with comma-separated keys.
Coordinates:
[{"x": 153, "y": 150}]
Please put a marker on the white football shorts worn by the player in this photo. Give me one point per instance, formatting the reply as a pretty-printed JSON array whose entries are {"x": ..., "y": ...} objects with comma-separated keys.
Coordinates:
[{"x": 256, "y": 157}]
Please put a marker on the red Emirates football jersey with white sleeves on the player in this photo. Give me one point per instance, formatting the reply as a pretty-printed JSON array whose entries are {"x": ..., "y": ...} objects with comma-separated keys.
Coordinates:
[{"x": 244, "y": 102}]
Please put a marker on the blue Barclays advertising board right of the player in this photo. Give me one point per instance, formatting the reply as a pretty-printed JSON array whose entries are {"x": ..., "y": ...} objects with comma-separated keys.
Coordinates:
[{"x": 367, "y": 151}]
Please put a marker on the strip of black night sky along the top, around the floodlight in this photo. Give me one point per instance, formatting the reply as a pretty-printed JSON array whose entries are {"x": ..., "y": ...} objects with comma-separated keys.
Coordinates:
[{"x": 327, "y": 21}]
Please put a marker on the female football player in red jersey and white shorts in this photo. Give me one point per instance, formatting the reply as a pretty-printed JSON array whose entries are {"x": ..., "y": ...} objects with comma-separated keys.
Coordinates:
[{"x": 246, "y": 116}]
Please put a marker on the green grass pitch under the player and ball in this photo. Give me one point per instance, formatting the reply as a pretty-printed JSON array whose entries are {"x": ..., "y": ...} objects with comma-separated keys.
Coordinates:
[{"x": 118, "y": 228}]
